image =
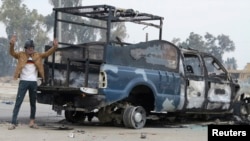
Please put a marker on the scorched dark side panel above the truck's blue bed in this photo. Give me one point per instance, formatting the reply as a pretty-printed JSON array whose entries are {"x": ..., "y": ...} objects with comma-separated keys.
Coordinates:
[{"x": 157, "y": 55}]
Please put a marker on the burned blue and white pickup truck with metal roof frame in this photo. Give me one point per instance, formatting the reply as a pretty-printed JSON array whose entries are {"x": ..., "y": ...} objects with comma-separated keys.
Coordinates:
[{"x": 129, "y": 83}]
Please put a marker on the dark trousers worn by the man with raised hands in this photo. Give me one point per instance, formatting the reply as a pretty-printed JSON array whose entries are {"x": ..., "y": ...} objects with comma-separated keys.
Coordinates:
[{"x": 23, "y": 87}]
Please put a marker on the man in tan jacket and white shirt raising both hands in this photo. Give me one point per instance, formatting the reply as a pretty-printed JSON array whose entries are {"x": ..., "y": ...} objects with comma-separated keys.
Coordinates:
[{"x": 29, "y": 67}]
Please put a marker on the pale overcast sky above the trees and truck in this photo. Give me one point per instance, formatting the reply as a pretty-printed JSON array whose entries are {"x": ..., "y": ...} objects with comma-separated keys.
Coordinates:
[{"x": 181, "y": 17}]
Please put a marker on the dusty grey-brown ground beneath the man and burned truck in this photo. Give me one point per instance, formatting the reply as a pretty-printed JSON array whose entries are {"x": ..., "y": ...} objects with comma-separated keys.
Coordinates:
[{"x": 53, "y": 127}]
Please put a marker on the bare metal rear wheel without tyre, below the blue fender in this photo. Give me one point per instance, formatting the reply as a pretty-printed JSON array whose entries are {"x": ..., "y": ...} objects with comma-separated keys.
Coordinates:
[{"x": 134, "y": 117}]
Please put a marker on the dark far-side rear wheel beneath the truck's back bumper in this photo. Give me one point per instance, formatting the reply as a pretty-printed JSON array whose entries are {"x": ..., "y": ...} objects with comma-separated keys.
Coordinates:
[{"x": 74, "y": 116}]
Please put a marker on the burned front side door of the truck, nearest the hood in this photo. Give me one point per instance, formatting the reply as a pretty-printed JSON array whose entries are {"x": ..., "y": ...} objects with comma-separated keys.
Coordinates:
[{"x": 219, "y": 90}]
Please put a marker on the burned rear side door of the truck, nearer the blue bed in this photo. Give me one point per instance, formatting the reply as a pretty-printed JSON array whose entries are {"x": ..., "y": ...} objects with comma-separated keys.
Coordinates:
[{"x": 195, "y": 82}]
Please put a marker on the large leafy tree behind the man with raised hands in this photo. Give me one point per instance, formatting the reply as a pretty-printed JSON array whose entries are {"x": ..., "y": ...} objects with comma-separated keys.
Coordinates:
[{"x": 25, "y": 24}]
